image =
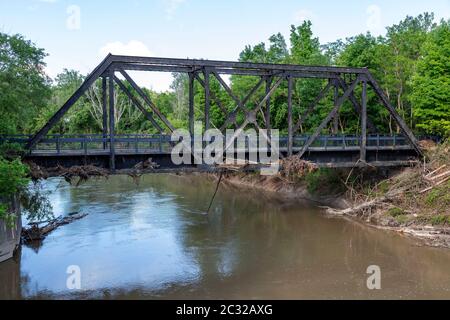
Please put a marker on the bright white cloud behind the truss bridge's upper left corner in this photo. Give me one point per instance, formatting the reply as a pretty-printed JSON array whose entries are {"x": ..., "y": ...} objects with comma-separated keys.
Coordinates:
[{"x": 158, "y": 81}]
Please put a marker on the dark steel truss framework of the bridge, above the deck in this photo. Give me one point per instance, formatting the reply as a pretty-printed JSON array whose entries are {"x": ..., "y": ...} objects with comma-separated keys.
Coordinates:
[{"x": 270, "y": 76}]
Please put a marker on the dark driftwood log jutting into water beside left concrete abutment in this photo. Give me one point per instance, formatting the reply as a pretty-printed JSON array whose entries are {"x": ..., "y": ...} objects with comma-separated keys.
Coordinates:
[{"x": 36, "y": 233}]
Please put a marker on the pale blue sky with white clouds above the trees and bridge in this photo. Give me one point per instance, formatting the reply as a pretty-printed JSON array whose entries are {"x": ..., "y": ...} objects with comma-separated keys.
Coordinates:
[{"x": 77, "y": 34}]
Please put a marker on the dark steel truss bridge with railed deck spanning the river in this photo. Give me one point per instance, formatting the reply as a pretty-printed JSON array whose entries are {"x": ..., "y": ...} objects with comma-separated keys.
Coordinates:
[{"x": 113, "y": 150}]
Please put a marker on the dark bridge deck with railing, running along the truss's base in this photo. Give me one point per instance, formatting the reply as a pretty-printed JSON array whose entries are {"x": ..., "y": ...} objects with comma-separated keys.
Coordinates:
[{"x": 326, "y": 151}]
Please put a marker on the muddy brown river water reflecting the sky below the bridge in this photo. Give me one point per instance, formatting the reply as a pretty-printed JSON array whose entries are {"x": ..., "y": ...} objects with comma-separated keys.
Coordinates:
[{"x": 154, "y": 241}]
